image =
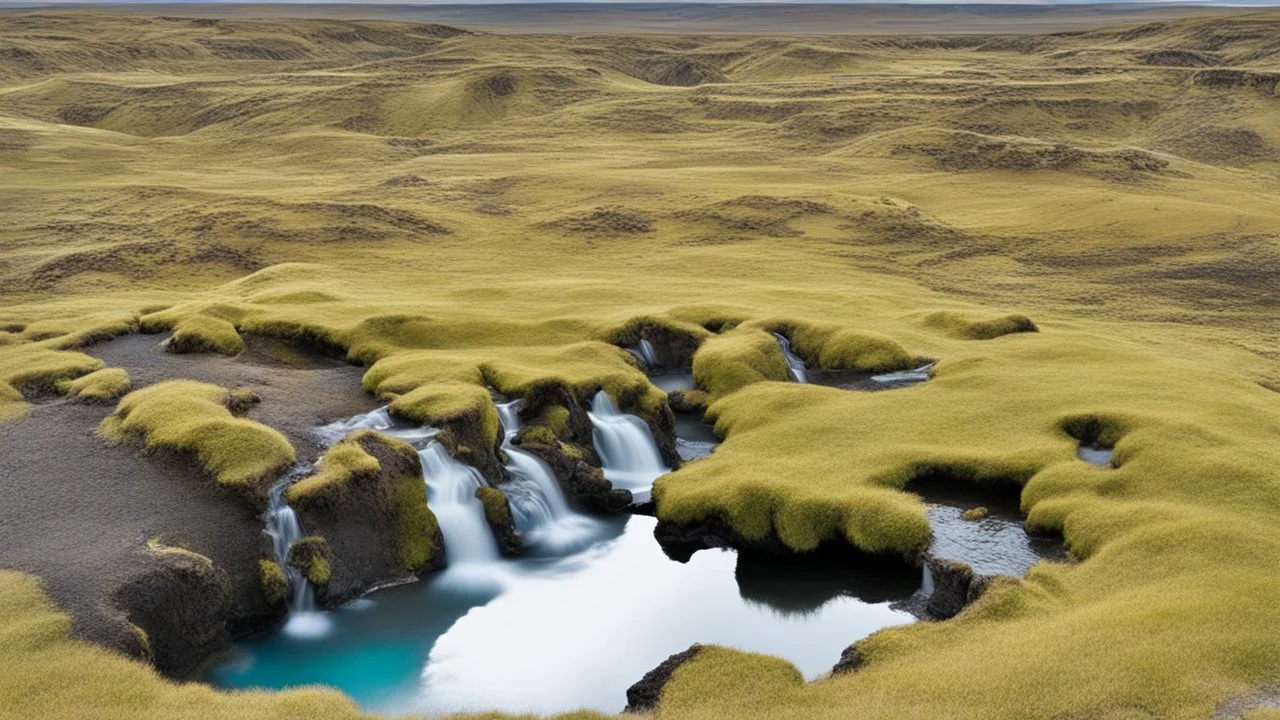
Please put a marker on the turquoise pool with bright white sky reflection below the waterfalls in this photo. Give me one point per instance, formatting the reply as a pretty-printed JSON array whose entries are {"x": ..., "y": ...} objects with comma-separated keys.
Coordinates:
[{"x": 555, "y": 635}]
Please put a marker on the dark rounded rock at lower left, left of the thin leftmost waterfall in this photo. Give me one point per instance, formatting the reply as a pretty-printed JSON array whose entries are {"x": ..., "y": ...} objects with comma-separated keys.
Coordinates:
[{"x": 179, "y": 604}]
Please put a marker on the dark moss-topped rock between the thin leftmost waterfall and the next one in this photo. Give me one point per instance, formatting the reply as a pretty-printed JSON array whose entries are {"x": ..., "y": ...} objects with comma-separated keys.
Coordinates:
[{"x": 369, "y": 503}]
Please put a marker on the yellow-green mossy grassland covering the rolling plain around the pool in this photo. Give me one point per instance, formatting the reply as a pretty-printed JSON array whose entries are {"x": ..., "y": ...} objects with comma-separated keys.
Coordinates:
[{"x": 461, "y": 211}]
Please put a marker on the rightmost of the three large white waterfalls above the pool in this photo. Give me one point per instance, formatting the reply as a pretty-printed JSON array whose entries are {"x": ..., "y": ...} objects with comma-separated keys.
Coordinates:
[{"x": 627, "y": 448}]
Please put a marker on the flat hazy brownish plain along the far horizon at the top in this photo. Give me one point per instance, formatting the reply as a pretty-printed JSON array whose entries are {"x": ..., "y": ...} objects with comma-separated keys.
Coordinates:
[{"x": 730, "y": 19}]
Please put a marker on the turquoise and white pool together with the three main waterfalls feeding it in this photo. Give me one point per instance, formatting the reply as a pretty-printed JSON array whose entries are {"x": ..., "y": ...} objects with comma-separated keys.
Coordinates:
[{"x": 592, "y": 609}]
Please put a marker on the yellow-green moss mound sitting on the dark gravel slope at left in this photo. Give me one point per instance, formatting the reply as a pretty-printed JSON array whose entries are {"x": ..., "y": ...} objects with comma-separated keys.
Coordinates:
[{"x": 193, "y": 417}]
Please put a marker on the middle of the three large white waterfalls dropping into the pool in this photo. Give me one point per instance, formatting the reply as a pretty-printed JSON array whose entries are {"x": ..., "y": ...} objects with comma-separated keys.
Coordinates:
[{"x": 537, "y": 502}]
